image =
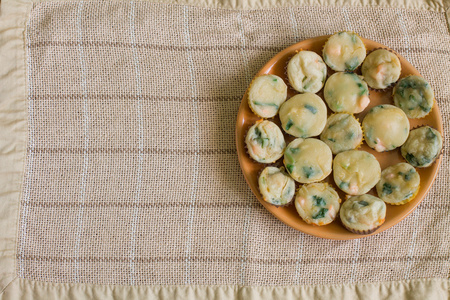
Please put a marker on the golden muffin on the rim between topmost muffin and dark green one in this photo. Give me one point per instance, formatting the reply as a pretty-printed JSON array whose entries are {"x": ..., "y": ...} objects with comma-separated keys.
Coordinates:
[{"x": 381, "y": 68}]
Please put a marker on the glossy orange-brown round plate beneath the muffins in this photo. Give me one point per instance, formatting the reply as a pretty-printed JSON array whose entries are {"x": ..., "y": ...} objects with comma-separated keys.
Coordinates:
[{"x": 288, "y": 214}]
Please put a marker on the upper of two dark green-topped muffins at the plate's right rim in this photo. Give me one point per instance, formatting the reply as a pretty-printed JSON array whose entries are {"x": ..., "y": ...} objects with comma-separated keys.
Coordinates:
[{"x": 414, "y": 96}]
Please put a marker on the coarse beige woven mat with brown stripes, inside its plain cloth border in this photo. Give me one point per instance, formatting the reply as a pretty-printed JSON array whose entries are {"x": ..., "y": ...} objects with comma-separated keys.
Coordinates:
[{"x": 131, "y": 175}]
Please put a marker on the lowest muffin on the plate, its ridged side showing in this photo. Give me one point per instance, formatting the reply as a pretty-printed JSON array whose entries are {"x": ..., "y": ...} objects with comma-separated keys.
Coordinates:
[{"x": 363, "y": 214}]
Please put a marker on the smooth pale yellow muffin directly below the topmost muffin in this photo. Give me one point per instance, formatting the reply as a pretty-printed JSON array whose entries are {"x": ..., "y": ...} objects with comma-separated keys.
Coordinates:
[{"x": 346, "y": 92}]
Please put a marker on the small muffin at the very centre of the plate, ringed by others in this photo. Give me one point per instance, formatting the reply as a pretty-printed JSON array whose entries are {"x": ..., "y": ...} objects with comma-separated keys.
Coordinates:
[{"x": 342, "y": 132}]
